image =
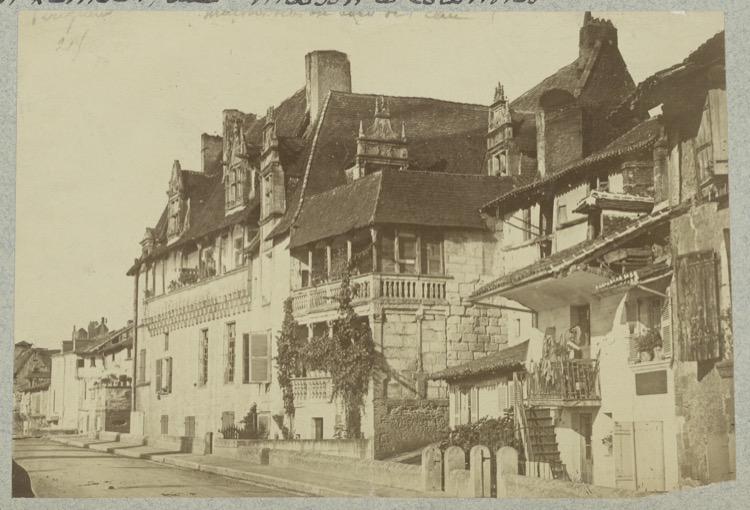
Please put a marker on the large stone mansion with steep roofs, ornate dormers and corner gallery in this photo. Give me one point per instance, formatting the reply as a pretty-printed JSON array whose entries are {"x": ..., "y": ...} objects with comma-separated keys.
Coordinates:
[{"x": 329, "y": 176}]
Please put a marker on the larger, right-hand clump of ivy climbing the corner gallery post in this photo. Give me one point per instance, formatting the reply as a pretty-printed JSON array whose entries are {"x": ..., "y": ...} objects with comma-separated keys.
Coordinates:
[{"x": 347, "y": 352}]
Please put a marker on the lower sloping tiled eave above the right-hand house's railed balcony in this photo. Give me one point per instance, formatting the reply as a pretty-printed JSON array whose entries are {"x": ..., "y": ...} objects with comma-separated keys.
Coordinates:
[{"x": 580, "y": 253}]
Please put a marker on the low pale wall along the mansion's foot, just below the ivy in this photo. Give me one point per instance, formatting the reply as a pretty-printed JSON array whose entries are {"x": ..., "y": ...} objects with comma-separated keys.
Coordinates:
[{"x": 239, "y": 448}]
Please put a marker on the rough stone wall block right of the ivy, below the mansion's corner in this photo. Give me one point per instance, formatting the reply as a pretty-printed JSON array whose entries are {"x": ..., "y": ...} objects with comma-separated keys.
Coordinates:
[{"x": 403, "y": 425}]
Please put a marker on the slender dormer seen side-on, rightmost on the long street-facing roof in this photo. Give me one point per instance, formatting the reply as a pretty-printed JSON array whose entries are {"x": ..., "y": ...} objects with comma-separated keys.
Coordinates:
[{"x": 273, "y": 197}]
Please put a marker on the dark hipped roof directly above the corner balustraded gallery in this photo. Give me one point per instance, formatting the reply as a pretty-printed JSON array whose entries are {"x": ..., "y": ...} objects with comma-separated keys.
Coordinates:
[{"x": 397, "y": 197}]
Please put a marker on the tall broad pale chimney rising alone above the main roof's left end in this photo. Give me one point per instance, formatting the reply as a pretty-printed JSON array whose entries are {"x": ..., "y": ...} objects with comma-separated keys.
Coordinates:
[{"x": 325, "y": 71}]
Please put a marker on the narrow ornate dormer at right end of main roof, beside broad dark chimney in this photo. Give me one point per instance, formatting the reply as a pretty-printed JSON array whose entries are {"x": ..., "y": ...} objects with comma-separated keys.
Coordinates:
[{"x": 500, "y": 135}]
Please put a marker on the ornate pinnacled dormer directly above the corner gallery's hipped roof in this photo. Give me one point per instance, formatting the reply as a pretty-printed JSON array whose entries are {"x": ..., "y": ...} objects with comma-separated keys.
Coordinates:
[{"x": 379, "y": 146}]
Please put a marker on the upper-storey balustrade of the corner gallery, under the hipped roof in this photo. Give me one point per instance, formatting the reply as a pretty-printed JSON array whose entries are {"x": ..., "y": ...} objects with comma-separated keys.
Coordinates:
[{"x": 367, "y": 287}]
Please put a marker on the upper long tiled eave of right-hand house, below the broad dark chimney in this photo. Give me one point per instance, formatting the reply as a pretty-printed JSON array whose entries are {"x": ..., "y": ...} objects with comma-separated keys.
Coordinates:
[{"x": 639, "y": 138}]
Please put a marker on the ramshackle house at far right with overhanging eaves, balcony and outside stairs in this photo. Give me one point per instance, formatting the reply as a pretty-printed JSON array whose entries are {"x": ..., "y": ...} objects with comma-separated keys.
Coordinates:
[{"x": 626, "y": 275}]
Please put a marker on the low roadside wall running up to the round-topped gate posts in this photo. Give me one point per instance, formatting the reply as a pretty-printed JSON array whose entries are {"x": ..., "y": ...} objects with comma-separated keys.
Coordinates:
[{"x": 389, "y": 474}]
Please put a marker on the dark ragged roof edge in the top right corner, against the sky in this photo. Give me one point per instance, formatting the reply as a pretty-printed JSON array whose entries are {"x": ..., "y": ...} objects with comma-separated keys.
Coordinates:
[{"x": 649, "y": 92}]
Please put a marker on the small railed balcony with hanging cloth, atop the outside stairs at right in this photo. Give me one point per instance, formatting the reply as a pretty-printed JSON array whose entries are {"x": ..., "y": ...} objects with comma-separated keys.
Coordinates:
[{"x": 573, "y": 382}]
